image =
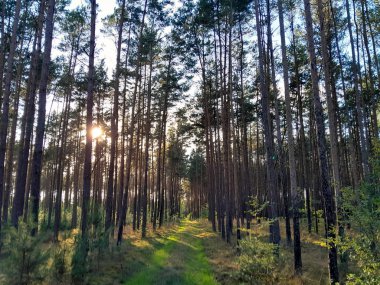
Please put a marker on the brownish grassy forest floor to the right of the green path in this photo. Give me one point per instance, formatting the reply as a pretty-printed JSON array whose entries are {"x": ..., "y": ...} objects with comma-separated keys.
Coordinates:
[{"x": 224, "y": 257}]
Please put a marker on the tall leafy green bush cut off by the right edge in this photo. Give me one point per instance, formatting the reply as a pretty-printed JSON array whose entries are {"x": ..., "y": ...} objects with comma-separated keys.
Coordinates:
[{"x": 361, "y": 210}]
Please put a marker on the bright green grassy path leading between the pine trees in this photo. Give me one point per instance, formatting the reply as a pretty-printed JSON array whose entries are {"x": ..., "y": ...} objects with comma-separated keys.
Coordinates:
[{"x": 180, "y": 260}]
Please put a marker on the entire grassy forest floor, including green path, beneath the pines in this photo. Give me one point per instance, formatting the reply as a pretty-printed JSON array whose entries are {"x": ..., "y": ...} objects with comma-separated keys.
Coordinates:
[{"x": 186, "y": 252}]
